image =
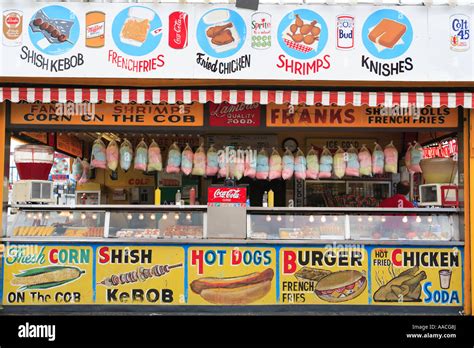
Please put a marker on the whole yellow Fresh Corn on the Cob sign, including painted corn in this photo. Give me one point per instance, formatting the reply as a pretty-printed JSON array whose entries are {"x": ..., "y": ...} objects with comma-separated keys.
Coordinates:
[{"x": 47, "y": 275}]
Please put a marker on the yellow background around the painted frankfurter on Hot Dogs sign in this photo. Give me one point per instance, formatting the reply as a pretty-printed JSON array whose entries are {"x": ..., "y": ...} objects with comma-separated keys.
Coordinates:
[{"x": 222, "y": 268}]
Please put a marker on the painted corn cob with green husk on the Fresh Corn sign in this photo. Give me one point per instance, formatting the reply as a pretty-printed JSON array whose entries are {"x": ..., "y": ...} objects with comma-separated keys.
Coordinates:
[{"x": 46, "y": 277}]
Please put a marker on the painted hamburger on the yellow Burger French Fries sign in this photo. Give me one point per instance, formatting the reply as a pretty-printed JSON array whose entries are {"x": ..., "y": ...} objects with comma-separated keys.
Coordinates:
[{"x": 341, "y": 286}]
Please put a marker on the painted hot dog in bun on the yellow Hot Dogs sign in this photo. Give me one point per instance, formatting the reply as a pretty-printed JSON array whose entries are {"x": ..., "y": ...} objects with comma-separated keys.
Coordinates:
[{"x": 234, "y": 290}]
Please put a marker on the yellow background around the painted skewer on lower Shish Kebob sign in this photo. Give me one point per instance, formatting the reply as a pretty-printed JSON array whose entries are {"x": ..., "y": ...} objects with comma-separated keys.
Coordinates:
[{"x": 157, "y": 288}]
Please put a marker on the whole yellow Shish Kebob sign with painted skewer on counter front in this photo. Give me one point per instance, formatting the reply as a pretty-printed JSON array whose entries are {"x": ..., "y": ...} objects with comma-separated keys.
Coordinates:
[{"x": 150, "y": 275}]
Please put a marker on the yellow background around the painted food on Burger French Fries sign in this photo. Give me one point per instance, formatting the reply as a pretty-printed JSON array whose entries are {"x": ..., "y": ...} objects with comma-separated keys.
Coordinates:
[{"x": 289, "y": 285}]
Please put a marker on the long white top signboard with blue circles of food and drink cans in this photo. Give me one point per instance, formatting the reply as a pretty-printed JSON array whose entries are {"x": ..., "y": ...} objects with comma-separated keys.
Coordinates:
[{"x": 277, "y": 42}]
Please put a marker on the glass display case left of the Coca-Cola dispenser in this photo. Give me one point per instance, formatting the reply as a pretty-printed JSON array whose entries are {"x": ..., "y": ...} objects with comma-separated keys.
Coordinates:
[{"x": 108, "y": 221}]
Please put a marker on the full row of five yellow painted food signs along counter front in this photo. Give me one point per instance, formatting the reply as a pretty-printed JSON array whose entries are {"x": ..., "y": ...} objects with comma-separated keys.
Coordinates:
[{"x": 234, "y": 275}]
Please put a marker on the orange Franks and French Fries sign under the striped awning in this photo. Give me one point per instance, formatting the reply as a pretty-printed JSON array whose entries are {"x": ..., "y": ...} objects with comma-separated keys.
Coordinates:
[{"x": 366, "y": 117}]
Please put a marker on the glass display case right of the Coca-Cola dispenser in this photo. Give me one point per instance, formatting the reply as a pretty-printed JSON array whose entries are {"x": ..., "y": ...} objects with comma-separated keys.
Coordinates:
[{"x": 356, "y": 224}]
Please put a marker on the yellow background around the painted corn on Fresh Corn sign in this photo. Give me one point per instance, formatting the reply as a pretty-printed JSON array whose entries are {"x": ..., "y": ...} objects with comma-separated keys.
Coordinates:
[{"x": 21, "y": 258}]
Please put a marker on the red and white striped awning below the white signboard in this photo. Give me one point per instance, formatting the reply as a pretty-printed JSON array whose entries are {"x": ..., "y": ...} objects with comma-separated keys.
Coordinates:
[{"x": 94, "y": 95}]
